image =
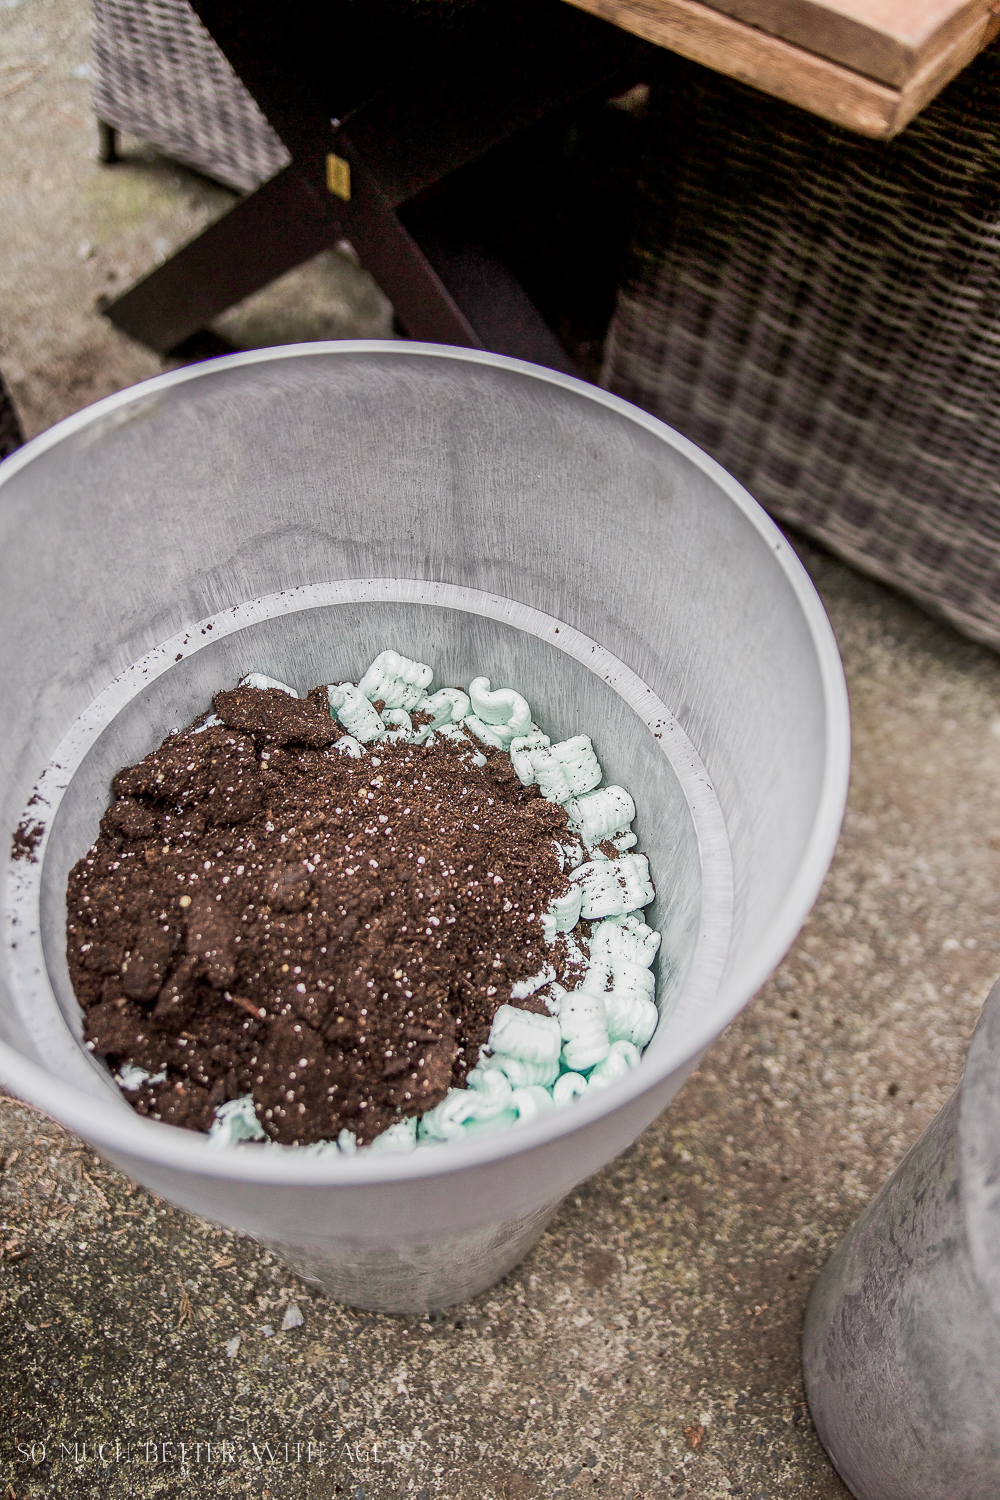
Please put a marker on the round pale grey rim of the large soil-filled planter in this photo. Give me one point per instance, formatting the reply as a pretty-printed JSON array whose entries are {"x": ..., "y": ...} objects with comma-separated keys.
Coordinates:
[{"x": 164, "y": 1145}]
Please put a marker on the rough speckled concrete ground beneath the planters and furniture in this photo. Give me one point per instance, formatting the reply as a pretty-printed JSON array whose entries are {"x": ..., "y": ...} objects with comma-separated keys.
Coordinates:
[{"x": 650, "y": 1346}]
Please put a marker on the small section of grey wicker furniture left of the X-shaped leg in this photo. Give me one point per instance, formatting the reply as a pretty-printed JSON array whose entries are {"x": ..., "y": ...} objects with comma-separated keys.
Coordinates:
[{"x": 158, "y": 74}]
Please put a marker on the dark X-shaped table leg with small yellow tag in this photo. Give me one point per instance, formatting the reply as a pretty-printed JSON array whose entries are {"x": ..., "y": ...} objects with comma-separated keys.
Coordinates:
[{"x": 433, "y": 122}]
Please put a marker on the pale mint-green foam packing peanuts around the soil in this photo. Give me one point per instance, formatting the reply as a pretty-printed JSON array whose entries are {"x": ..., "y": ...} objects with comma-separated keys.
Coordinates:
[{"x": 531, "y": 1064}]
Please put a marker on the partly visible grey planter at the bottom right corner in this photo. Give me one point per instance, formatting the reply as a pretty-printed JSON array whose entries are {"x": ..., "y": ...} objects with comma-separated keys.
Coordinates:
[{"x": 902, "y": 1343}]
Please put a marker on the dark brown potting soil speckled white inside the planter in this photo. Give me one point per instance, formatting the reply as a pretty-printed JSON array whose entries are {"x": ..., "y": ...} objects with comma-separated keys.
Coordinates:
[{"x": 263, "y": 914}]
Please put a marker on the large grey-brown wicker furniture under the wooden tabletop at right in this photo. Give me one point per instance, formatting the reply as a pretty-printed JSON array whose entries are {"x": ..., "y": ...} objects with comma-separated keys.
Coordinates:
[{"x": 822, "y": 314}]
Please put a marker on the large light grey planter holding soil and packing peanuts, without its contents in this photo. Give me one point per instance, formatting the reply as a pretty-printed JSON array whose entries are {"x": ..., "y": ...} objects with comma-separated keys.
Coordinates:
[{"x": 296, "y": 511}]
